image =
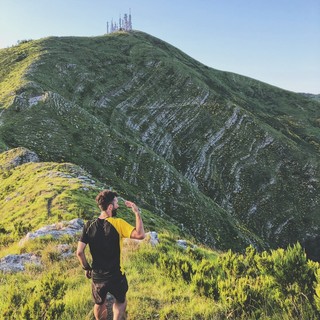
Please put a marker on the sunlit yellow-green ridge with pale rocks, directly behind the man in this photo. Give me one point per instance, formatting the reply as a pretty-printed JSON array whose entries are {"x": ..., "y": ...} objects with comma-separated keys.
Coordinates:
[{"x": 34, "y": 194}]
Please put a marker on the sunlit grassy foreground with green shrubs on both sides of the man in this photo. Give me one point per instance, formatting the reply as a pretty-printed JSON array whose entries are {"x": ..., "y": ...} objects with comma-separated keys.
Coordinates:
[{"x": 168, "y": 282}]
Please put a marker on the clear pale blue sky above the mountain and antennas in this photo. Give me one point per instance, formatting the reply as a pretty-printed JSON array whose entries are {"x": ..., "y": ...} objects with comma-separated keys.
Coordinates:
[{"x": 275, "y": 41}]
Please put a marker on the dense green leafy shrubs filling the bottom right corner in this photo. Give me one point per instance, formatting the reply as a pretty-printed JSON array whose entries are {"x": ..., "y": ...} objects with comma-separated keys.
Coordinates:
[{"x": 253, "y": 285}]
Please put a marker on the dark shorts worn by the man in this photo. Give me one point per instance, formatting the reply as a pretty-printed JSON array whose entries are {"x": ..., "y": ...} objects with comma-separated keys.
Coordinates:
[{"x": 116, "y": 285}]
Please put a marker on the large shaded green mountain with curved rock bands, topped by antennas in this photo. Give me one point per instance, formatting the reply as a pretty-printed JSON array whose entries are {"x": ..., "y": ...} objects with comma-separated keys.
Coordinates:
[{"x": 232, "y": 160}]
